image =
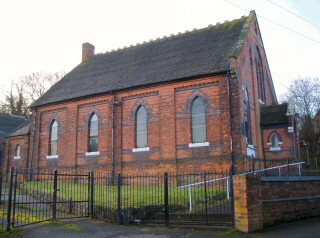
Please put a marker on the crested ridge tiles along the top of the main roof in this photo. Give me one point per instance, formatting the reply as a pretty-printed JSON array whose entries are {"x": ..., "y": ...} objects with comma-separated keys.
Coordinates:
[{"x": 170, "y": 36}]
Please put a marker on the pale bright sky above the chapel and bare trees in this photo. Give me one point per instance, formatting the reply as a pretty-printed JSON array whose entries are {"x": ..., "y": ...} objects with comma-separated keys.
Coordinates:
[{"x": 47, "y": 36}]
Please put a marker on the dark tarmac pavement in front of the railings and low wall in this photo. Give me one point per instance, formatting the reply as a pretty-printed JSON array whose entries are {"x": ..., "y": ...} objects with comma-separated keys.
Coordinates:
[{"x": 85, "y": 227}]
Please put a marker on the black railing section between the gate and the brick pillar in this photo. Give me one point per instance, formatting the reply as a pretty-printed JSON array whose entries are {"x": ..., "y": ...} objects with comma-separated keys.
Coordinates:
[{"x": 175, "y": 198}]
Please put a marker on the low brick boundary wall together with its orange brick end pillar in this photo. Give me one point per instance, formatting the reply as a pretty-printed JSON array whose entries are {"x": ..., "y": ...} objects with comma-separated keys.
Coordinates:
[{"x": 263, "y": 201}]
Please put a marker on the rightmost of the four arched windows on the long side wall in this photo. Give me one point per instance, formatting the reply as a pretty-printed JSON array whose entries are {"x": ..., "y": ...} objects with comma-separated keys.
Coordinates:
[{"x": 198, "y": 114}]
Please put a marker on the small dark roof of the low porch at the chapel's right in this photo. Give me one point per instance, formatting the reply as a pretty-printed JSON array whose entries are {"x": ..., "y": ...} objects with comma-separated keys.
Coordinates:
[{"x": 274, "y": 115}]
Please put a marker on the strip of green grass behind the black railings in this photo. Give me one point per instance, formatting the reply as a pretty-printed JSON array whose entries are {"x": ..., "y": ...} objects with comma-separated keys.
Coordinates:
[{"x": 131, "y": 196}]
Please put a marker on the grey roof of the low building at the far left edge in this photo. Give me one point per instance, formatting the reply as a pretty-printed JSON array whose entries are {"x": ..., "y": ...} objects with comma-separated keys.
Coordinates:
[{"x": 9, "y": 123}]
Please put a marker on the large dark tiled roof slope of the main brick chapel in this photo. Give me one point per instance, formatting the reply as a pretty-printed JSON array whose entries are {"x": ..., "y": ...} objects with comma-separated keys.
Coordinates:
[{"x": 199, "y": 52}]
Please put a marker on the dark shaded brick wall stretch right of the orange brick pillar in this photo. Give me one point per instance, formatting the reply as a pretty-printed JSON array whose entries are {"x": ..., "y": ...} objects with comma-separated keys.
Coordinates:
[{"x": 288, "y": 199}]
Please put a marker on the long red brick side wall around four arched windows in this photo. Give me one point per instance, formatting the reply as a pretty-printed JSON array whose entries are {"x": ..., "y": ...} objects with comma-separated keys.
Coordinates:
[{"x": 169, "y": 129}]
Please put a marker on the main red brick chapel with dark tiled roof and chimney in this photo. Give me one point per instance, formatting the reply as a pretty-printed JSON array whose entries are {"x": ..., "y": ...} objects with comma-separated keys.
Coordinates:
[{"x": 190, "y": 101}]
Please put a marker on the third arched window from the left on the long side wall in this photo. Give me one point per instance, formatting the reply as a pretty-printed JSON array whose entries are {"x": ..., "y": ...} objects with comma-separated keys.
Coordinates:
[{"x": 141, "y": 127}]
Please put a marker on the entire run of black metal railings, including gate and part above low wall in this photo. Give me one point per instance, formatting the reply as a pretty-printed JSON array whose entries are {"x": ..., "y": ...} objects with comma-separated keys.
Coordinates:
[{"x": 191, "y": 198}]
